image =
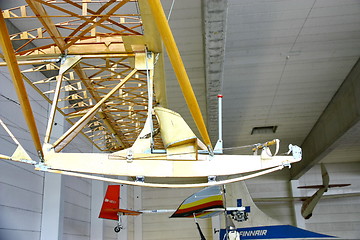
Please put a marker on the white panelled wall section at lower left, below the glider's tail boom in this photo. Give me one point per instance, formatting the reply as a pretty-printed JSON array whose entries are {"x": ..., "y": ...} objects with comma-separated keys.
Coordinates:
[{"x": 20, "y": 202}]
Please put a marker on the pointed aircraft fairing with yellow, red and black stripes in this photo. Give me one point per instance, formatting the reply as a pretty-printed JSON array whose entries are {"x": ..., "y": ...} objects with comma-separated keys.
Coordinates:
[{"x": 203, "y": 204}]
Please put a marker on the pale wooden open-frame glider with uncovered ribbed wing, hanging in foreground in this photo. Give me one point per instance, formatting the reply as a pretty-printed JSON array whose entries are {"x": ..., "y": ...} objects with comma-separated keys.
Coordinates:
[{"x": 102, "y": 67}]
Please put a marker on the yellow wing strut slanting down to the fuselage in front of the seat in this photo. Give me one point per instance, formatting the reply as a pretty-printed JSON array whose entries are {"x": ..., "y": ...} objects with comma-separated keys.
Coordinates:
[{"x": 179, "y": 69}]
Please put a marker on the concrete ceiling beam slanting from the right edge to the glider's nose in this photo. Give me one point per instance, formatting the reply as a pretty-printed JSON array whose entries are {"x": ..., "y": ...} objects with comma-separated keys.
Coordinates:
[{"x": 340, "y": 118}]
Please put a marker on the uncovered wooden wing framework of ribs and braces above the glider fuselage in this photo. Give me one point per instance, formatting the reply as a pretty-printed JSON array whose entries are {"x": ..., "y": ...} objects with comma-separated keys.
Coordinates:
[{"x": 84, "y": 49}]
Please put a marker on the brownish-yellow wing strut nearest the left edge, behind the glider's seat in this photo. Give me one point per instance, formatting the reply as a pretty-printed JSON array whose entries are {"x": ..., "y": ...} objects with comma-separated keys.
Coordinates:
[{"x": 15, "y": 73}]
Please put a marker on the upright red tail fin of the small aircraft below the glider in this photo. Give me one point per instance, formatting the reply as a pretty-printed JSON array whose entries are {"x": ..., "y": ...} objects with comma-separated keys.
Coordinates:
[{"x": 111, "y": 203}]
